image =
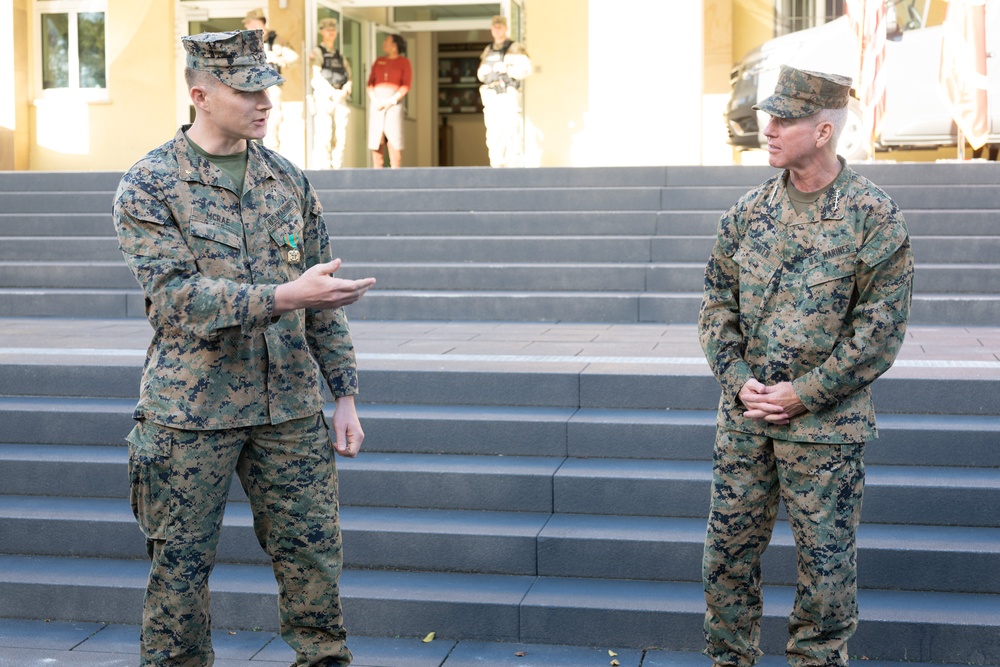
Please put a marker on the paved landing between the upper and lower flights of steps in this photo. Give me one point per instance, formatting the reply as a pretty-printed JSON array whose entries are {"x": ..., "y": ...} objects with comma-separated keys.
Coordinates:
[{"x": 929, "y": 351}]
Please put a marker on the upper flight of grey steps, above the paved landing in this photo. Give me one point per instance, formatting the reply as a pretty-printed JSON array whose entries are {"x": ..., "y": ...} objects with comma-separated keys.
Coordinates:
[{"x": 602, "y": 245}]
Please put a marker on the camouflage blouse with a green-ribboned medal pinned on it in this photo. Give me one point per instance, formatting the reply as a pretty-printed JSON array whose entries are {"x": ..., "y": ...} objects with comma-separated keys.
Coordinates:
[{"x": 208, "y": 262}]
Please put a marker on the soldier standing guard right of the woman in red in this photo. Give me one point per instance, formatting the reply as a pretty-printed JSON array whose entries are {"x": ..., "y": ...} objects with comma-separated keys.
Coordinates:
[{"x": 503, "y": 65}]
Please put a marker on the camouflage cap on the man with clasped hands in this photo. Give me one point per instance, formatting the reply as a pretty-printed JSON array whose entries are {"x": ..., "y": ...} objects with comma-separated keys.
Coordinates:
[{"x": 800, "y": 93}]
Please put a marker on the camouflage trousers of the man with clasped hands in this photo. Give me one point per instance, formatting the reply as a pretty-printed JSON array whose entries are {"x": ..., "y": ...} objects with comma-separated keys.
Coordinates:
[{"x": 821, "y": 486}]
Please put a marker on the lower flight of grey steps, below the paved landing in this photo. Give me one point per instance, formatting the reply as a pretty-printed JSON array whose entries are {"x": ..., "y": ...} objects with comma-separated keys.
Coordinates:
[{"x": 501, "y": 505}]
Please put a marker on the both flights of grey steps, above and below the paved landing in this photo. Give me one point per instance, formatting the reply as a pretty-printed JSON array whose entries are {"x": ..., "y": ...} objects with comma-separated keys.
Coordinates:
[{"x": 498, "y": 498}]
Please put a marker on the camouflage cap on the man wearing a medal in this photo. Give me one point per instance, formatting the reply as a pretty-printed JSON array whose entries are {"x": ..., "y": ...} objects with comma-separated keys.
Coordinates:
[{"x": 236, "y": 58}]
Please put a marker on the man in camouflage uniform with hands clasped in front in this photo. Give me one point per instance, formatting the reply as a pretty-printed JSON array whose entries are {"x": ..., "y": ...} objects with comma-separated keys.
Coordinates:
[{"x": 807, "y": 295}]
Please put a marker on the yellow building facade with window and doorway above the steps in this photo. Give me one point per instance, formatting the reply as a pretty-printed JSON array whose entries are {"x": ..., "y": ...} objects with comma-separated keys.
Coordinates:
[{"x": 94, "y": 84}]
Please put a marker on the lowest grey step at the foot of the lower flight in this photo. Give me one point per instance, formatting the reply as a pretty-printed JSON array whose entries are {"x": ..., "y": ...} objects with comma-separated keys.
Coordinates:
[{"x": 937, "y": 627}]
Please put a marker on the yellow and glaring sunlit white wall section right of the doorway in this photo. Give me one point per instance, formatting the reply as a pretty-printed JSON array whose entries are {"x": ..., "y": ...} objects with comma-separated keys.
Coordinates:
[{"x": 630, "y": 94}]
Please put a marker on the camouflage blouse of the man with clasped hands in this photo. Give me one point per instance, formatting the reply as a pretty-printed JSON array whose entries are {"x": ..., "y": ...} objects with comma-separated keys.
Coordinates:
[{"x": 820, "y": 300}]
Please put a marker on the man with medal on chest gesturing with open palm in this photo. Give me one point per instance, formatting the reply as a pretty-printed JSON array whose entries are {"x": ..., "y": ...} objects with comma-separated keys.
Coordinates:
[{"x": 228, "y": 243}]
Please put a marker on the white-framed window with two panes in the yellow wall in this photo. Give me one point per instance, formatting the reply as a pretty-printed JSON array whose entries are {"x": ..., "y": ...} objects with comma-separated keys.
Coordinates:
[{"x": 71, "y": 46}]
